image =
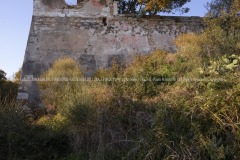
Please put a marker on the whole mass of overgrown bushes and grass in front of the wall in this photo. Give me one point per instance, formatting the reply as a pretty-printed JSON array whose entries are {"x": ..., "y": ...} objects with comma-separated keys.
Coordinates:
[{"x": 161, "y": 106}]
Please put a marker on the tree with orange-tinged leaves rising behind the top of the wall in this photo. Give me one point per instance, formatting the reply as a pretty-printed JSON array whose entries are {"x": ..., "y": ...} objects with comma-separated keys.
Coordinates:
[{"x": 152, "y": 7}]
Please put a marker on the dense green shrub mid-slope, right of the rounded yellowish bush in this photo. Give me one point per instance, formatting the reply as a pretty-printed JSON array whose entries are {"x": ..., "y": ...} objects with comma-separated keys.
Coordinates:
[{"x": 143, "y": 77}]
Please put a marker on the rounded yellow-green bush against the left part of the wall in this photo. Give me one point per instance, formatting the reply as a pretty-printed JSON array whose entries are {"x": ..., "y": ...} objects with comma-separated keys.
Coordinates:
[{"x": 61, "y": 85}]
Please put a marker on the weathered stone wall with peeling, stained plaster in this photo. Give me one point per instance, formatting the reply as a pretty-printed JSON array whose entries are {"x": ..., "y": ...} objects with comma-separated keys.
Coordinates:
[{"x": 93, "y": 36}]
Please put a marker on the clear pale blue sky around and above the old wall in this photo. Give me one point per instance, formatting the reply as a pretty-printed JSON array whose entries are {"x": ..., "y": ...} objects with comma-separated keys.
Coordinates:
[{"x": 15, "y": 21}]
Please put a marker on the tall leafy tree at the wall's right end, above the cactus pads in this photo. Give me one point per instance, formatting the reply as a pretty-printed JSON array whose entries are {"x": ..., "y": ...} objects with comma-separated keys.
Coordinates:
[{"x": 223, "y": 32}]
